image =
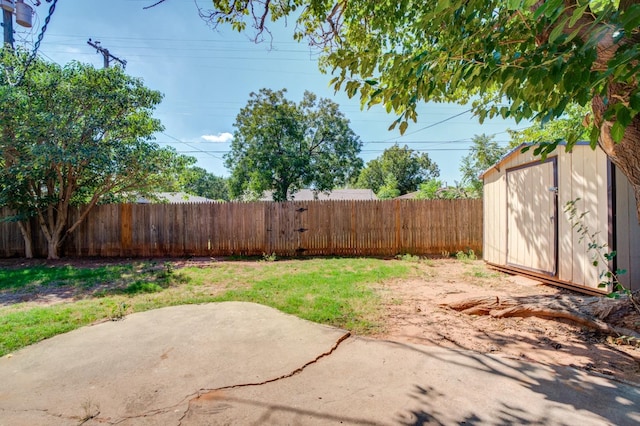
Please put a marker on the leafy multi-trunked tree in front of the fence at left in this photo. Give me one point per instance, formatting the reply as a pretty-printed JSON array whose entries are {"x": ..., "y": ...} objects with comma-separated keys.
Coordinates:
[{"x": 74, "y": 135}]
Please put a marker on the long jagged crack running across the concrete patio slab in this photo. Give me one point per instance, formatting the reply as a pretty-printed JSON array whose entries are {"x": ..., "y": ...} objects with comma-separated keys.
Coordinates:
[{"x": 194, "y": 396}]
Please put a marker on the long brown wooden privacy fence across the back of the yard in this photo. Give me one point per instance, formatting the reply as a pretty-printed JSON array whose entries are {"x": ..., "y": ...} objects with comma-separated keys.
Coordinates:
[{"x": 362, "y": 228}]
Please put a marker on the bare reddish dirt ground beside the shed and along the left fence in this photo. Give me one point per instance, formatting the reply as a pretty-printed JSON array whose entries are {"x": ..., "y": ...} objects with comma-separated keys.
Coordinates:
[{"x": 415, "y": 311}]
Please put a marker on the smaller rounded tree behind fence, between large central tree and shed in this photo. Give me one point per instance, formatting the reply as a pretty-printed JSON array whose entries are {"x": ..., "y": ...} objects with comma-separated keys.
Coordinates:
[{"x": 402, "y": 165}]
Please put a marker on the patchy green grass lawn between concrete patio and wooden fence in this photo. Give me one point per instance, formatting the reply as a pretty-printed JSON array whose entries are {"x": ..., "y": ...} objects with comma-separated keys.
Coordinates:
[{"x": 339, "y": 292}]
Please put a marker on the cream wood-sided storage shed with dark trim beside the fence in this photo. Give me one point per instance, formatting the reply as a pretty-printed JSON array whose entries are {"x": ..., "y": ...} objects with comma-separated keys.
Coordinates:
[{"x": 528, "y": 231}]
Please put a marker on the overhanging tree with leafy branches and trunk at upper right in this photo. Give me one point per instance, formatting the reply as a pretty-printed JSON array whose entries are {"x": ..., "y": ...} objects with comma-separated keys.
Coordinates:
[{"x": 525, "y": 59}]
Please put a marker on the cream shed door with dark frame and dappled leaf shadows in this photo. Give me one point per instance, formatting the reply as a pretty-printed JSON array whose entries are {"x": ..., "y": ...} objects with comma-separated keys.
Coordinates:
[{"x": 531, "y": 216}]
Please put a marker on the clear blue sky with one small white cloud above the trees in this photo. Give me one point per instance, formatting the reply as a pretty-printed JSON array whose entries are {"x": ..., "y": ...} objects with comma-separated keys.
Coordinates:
[{"x": 206, "y": 76}]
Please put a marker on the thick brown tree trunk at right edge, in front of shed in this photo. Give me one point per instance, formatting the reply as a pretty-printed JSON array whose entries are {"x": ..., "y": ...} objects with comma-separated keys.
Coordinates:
[{"x": 625, "y": 155}]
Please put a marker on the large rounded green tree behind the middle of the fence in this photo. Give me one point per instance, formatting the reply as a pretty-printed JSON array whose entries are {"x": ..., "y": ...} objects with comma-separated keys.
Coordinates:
[{"x": 282, "y": 146}]
